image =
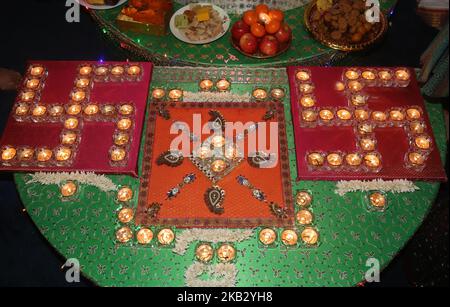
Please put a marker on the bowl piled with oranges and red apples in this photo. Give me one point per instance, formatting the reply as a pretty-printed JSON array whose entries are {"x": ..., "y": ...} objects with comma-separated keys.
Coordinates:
[{"x": 261, "y": 33}]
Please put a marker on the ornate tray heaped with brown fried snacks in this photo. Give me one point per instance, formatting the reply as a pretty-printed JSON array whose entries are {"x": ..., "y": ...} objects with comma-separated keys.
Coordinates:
[{"x": 343, "y": 24}]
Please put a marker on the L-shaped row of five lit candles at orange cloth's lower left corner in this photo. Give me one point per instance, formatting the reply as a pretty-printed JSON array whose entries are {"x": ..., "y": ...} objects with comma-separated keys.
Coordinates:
[{"x": 126, "y": 231}]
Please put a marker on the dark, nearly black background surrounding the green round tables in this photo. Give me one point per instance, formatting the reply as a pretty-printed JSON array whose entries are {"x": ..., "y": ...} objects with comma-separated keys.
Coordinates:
[{"x": 38, "y": 30}]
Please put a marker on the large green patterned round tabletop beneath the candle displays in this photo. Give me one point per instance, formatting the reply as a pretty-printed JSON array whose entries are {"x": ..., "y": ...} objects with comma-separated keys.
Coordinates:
[{"x": 84, "y": 228}]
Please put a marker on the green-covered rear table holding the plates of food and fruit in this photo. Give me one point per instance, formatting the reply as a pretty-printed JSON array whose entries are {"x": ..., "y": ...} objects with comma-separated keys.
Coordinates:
[{"x": 168, "y": 50}]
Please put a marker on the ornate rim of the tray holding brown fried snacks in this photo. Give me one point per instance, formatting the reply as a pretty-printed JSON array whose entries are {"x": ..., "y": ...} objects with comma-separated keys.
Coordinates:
[{"x": 339, "y": 46}]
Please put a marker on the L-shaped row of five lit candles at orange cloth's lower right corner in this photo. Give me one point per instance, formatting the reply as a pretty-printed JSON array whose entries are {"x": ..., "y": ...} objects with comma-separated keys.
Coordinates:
[{"x": 309, "y": 235}]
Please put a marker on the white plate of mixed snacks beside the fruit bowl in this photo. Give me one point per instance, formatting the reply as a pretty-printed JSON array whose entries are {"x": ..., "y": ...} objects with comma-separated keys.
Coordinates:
[{"x": 199, "y": 23}]
